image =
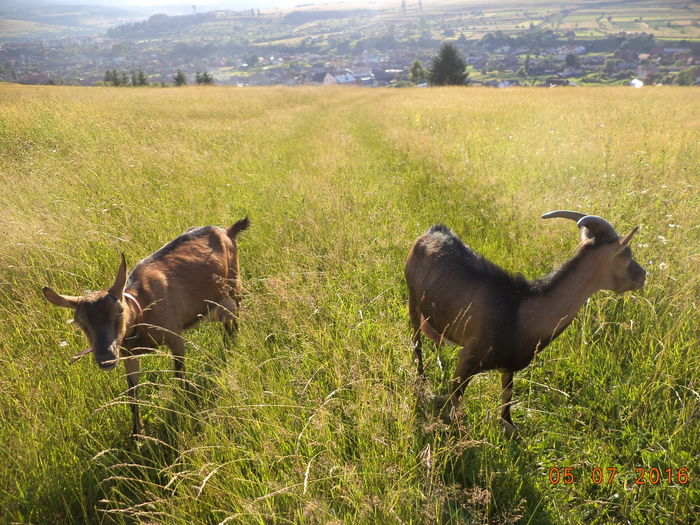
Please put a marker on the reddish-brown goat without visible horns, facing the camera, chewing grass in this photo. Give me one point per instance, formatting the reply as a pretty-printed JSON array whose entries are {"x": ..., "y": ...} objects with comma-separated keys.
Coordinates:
[{"x": 194, "y": 276}]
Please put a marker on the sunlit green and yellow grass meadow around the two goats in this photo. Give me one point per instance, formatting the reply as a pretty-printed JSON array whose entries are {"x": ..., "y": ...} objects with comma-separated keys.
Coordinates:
[{"x": 311, "y": 416}]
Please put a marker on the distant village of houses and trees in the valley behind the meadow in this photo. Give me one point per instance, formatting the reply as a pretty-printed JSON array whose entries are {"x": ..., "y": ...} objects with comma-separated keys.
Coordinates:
[{"x": 498, "y": 60}]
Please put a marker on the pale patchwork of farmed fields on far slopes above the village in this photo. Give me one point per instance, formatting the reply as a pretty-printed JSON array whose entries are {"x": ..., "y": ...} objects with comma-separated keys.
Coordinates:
[{"x": 678, "y": 20}]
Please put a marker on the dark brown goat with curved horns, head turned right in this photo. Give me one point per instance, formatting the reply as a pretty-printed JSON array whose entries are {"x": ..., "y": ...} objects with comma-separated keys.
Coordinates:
[{"x": 501, "y": 320}]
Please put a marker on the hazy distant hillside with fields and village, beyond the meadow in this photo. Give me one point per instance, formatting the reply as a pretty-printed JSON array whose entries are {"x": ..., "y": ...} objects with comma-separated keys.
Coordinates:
[{"x": 376, "y": 42}]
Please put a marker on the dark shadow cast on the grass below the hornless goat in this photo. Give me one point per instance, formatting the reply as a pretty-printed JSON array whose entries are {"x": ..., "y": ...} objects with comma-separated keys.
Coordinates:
[{"x": 131, "y": 472}]
